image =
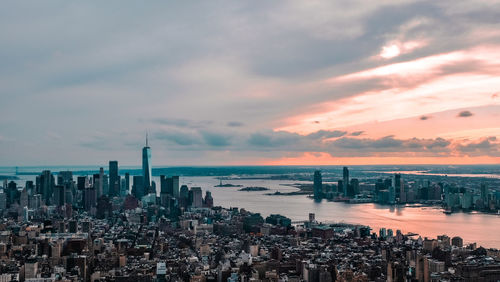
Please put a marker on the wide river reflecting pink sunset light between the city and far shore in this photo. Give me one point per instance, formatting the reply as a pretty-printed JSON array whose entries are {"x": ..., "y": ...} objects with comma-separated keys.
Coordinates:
[{"x": 426, "y": 221}]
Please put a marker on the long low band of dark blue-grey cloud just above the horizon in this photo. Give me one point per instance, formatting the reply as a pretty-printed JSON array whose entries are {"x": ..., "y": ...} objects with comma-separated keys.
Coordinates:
[{"x": 334, "y": 143}]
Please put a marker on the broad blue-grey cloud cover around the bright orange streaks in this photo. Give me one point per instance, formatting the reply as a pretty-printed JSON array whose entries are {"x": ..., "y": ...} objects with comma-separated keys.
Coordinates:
[{"x": 152, "y": 67}]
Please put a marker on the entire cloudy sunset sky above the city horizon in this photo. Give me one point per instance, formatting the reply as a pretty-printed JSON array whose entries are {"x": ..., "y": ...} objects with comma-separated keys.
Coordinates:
[{"x": 250, "y": 82}]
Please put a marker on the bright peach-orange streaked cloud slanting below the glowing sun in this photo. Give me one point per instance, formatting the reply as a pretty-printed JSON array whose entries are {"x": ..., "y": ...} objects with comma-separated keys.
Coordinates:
[{"x": 414, "y": 88}]
